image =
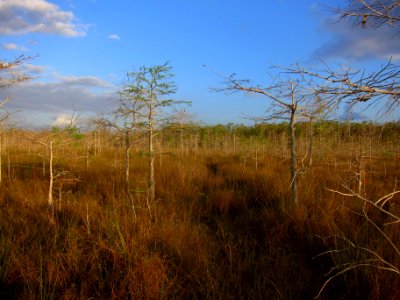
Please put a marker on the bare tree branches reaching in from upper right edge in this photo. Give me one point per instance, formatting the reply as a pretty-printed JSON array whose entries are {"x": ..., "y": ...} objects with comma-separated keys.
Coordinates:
[{"x": 380, "y": 86}]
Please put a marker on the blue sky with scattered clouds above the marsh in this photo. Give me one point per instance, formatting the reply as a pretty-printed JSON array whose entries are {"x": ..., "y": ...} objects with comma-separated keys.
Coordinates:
[{"x": 85, "y": 48}]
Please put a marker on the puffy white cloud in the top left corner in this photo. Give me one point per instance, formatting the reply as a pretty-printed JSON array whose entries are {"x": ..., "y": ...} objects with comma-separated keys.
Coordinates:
[{"x": 22, "y": 16}]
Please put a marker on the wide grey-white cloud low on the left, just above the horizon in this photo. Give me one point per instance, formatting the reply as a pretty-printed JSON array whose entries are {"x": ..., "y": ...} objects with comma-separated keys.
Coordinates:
[{"x": 59, "y": 95}]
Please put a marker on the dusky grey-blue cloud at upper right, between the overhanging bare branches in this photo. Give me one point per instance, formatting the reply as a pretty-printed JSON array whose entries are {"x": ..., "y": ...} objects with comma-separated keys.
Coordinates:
[{"x": 355, "y": 43}]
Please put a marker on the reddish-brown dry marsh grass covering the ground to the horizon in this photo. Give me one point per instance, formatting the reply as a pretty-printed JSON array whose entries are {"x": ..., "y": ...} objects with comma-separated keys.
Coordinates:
[{"x": 222, "y": 225}]
